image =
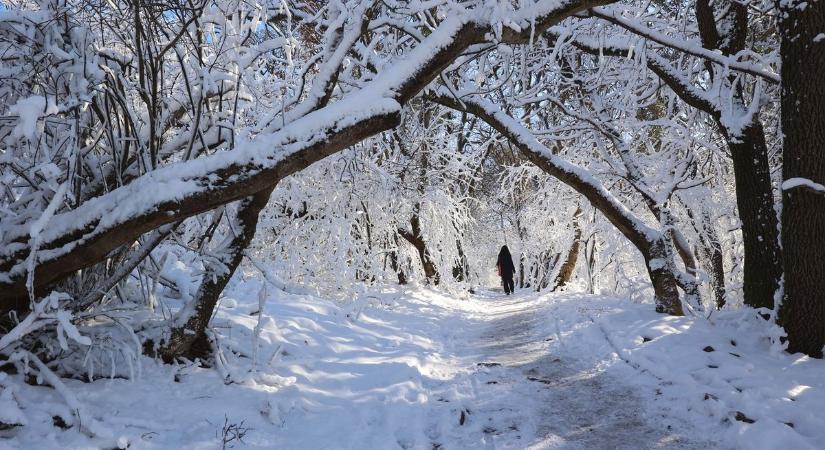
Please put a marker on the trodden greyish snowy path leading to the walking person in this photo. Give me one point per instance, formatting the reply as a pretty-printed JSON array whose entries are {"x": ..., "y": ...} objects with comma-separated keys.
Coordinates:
[{"x": 533, "y": 392}]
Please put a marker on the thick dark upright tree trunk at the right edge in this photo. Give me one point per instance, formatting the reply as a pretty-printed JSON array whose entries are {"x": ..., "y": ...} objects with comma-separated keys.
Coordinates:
[{"x": 803, "y": 210}]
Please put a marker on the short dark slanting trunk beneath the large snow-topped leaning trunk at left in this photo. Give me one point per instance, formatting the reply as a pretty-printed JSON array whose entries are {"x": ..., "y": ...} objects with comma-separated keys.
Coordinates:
[{"x": 189, "y": 340}]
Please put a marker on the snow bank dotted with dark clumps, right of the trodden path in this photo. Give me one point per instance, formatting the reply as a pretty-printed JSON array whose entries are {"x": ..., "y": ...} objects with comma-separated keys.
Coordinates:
[{"x": 722, "y": 370}]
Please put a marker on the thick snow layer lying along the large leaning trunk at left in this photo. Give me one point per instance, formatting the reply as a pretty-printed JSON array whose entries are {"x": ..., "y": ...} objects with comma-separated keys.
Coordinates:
[{"x": 178, "y": 181}]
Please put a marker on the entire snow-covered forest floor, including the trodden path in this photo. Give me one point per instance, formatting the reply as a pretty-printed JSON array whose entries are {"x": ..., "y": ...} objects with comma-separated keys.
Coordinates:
[{"x": 428, "y": 370}]
